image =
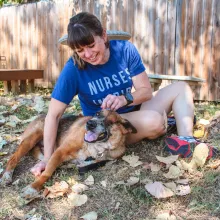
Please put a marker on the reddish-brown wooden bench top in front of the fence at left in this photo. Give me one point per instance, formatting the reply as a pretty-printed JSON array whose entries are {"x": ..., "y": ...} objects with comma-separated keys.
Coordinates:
[{"x": 9, "y": 74}]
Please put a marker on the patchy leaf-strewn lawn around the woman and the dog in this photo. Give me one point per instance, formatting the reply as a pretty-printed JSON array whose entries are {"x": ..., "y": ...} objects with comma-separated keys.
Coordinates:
[{"x": 110, "y": 197}]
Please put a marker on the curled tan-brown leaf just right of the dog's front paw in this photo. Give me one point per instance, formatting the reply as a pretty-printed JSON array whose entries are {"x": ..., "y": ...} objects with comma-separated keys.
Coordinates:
[{"x": 58, "y": 189}]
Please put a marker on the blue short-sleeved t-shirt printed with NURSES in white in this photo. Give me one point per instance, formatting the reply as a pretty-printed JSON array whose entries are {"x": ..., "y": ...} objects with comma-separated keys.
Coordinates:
[{"x": 94, "y": 83}]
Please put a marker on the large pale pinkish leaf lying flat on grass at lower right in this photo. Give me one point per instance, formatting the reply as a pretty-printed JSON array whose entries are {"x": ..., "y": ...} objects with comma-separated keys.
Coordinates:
[{"x": 158, "y": 190}]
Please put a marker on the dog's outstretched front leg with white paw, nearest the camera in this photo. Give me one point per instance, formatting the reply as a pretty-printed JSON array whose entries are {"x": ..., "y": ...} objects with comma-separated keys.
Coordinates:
[{"x": 60, "y": 155}]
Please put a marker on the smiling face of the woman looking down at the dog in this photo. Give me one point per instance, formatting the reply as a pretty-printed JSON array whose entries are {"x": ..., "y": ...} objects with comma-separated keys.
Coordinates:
[{"x": 95, "y": 53}]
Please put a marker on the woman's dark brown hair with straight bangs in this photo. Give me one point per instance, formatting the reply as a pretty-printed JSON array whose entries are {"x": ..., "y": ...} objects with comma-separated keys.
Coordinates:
[{"x": 81, "y": 31}]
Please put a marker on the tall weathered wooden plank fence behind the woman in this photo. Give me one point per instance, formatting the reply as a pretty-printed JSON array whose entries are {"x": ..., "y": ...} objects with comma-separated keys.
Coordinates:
[{"x": 174, "y": 37}]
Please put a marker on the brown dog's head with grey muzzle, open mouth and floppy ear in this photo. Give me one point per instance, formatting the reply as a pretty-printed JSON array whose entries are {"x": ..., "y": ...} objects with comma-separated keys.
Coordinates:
[{"x": 98, "y": 128}]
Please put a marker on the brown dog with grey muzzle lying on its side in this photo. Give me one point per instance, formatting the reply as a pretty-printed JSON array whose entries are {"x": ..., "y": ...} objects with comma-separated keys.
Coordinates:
[{"x": 101, "y": 137}]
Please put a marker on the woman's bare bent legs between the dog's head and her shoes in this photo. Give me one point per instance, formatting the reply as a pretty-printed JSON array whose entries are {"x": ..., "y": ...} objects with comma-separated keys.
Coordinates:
[{"x": 149, "y": 121}]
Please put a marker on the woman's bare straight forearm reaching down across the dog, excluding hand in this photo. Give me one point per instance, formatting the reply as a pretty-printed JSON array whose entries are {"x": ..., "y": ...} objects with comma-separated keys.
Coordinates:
[{"x": 55, "y": 111}]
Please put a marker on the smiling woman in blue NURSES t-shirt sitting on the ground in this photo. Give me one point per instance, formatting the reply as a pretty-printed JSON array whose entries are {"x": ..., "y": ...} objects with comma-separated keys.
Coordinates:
[{"x": 102, "y": 74}]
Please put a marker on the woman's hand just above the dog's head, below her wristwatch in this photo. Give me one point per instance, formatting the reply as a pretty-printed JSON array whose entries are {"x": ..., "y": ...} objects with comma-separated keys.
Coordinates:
[{"x": 113, "y": 102}]
